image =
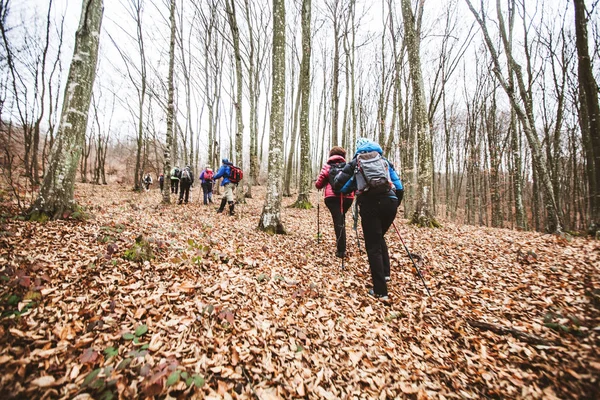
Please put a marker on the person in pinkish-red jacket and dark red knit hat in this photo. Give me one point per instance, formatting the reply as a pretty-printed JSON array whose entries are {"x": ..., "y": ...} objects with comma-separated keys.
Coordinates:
[{"x": 337, "y": 203}]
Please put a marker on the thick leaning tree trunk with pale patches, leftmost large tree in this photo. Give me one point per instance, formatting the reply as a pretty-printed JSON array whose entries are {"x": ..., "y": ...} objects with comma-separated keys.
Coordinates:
[{"x": 55, "y": 199}]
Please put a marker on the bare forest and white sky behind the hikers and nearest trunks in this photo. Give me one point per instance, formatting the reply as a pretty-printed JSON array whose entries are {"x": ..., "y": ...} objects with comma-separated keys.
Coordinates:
[{"x": 485, "y": 166}]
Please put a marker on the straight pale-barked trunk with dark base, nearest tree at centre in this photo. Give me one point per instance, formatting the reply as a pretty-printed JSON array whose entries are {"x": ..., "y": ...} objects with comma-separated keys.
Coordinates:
[{"x": 270, "y": 220}]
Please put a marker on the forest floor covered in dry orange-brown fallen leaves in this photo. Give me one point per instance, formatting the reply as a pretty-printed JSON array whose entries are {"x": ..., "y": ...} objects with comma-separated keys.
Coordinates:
[{"x": 222, "y": 310}]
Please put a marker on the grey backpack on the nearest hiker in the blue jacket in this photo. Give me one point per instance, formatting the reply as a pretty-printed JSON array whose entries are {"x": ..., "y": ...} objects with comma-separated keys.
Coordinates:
[{"x": 372, "y": 173}]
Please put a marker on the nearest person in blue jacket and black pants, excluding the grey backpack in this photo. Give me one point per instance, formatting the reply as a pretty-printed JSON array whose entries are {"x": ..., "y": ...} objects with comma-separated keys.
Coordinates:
[{"x": 377, "y": 212}]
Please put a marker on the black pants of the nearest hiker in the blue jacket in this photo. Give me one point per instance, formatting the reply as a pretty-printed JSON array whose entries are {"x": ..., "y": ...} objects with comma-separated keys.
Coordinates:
[{"x": 377, "y": 215}]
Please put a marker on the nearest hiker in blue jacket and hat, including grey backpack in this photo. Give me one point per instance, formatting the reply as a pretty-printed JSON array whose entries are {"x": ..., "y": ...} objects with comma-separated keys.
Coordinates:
[{"x": 379, "y": 191}]
